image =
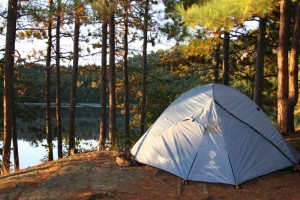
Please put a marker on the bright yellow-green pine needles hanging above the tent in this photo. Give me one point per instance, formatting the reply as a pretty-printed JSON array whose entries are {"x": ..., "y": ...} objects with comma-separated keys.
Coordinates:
[{"x": 216, "y": 14}]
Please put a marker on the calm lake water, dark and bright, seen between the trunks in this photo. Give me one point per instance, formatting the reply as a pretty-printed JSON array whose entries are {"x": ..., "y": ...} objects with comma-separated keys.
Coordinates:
[{"x": 31, "y": 123}]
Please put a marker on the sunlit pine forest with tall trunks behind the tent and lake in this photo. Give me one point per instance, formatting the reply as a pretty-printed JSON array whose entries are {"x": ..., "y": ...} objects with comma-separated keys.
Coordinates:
[{"x": 98, "y": 51}]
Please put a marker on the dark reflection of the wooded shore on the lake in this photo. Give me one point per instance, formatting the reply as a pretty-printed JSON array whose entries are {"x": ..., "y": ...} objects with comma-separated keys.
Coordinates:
[{"x": 31, "y": 127}]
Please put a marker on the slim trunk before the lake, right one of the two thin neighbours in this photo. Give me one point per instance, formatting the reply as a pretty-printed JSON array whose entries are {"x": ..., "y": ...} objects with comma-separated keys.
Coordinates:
[{"x": 58, "y": 87}]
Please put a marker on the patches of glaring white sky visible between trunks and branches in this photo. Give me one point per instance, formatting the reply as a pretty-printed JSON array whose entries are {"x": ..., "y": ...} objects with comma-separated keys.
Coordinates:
[{"x": 28, "y": 47}]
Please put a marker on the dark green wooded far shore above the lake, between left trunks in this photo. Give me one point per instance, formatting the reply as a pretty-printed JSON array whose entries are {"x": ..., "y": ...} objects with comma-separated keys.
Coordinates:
[{"x": 30, "y": 84}]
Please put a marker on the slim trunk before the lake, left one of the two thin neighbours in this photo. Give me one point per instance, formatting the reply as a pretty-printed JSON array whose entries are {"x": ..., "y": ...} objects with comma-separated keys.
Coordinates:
[{"x": 48, "y": 86}]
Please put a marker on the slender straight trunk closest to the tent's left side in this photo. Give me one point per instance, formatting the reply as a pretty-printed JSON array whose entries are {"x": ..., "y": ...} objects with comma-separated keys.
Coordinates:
[{"x": 144, "y": 73}]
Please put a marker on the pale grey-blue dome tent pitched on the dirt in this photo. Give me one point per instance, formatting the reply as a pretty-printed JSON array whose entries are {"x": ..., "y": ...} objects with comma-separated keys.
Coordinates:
[{"x": 214, "y": 133}]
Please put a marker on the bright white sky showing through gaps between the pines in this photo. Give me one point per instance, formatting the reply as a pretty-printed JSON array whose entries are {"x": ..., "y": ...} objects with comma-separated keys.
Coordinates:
[{"x": 27, "y": 47}]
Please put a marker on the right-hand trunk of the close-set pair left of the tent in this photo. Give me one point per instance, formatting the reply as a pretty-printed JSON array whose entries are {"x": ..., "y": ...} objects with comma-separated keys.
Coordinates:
[{"x": 112, "y": 84}]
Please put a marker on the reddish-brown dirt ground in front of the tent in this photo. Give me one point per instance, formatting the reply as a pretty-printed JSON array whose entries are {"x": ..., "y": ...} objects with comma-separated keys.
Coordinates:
[{"x": 96, "y": 175}]
